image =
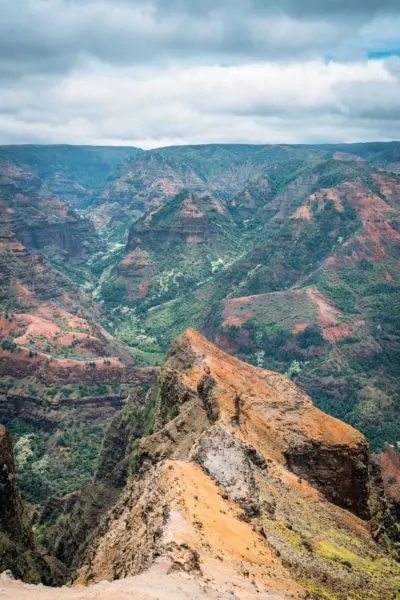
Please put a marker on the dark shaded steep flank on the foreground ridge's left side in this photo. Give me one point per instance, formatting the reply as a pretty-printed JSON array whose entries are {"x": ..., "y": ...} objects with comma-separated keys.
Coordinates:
[{"x": 66, "y": 524}]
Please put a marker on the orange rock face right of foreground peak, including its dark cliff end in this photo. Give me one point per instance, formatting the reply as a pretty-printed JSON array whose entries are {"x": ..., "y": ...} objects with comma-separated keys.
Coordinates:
[{"x": 278, "y": 419}]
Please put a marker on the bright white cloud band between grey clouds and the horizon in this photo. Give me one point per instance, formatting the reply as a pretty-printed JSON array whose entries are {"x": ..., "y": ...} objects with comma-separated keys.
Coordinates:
[{"x": 286, "y": 102}]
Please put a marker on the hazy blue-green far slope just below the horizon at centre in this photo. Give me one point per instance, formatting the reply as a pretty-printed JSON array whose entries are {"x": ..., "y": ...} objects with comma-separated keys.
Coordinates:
[{"x": 148, "y": 180}]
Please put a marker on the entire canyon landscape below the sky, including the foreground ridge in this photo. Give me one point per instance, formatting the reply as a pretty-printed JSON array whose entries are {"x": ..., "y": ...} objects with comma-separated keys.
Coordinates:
[{"x": 259, "y": 272}]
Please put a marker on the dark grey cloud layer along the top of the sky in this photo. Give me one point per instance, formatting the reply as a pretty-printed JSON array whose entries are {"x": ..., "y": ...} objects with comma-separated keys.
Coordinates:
[{"x": 53, "y": 36}]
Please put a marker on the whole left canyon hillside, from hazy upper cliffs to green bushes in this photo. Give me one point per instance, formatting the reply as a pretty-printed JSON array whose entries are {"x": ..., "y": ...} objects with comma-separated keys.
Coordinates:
[{"x": 62, "y": 375}]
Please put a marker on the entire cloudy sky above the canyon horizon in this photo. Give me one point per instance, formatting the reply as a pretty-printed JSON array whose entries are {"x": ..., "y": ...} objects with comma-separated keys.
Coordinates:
[{"x": 153, "y": 73}]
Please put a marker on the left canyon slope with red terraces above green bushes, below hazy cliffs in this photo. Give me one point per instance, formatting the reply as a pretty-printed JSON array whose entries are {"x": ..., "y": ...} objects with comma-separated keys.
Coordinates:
[{"x": 62, "y": 375}]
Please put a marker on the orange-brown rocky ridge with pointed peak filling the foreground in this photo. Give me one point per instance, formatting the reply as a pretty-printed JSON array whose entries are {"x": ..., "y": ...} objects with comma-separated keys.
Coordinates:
[{"x": 243, "y": 490}]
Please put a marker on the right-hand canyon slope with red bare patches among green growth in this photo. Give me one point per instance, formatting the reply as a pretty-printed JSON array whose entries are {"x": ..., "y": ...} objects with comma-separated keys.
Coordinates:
[{"x": 339, "y": 252}]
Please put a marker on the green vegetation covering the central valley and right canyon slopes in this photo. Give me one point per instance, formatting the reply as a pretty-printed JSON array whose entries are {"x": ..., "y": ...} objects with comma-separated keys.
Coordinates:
[{"x": 261, "y": 252}]
